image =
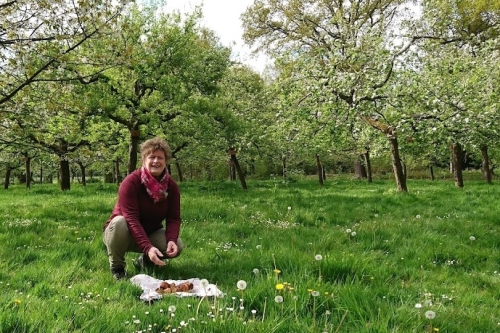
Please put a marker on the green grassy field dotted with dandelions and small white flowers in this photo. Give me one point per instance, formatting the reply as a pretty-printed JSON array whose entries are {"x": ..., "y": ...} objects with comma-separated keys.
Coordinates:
[{"x": 345, "y": 257}]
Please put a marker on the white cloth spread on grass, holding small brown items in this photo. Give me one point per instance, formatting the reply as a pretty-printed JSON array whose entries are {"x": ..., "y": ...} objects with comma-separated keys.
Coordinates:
[{"x": 149, "y": 285}]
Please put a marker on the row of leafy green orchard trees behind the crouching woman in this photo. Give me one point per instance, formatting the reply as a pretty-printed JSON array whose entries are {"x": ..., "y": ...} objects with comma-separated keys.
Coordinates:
[{"x": 82, "y": 85}]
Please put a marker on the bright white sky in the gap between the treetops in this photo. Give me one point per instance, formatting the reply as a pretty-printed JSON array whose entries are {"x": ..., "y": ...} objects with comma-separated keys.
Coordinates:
[{"x": 223, "y": 17}]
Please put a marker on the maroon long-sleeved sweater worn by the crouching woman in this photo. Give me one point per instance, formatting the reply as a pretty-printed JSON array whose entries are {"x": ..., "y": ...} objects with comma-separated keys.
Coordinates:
[{"x": 143, "y": 216}]
